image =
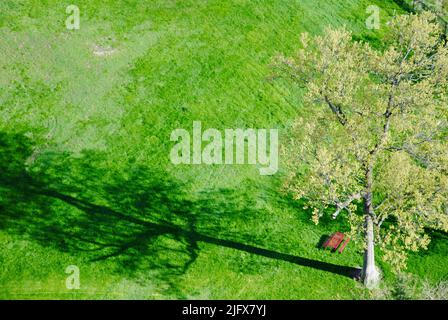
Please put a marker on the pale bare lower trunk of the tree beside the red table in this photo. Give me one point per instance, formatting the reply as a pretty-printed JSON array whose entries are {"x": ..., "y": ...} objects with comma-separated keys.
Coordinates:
[{"x": 370, "y": 274}]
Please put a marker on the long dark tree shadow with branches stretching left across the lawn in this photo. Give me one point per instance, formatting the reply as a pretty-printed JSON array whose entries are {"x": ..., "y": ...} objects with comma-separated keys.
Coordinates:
[{"x": 147, "y": 223}]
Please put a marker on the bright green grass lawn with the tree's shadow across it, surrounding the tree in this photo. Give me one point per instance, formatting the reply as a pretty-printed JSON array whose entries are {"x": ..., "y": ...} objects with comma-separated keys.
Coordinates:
[{"x": 85, "y": 174}]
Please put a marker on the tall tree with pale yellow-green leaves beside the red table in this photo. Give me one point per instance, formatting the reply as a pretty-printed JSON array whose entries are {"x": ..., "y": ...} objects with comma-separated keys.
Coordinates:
[{"x": 371, "y": 142}]
